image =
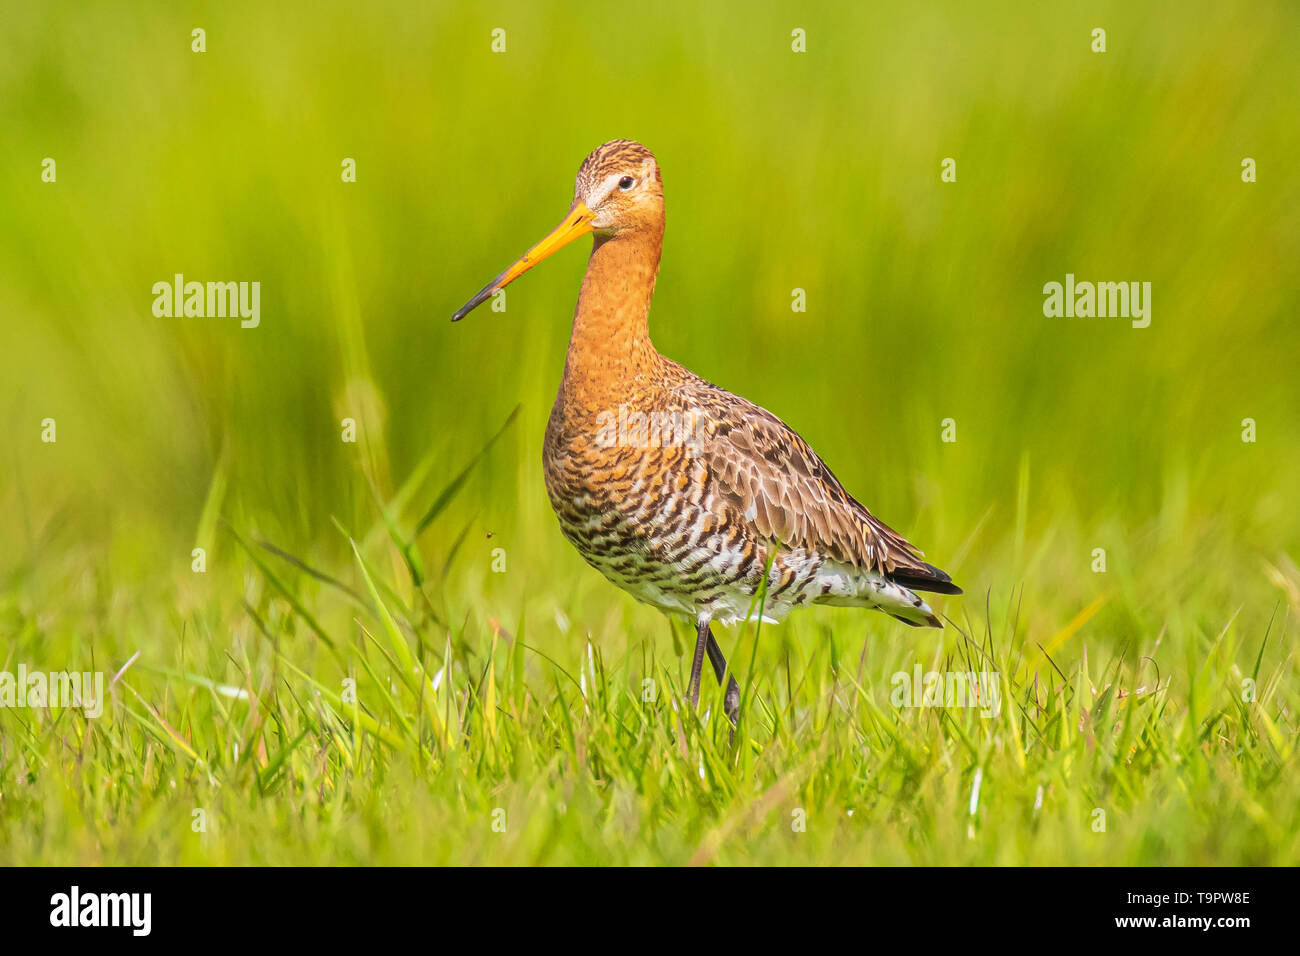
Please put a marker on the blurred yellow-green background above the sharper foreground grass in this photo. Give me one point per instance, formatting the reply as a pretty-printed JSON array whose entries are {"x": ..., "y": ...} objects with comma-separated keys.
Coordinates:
[{"x": 818, "y": 171}]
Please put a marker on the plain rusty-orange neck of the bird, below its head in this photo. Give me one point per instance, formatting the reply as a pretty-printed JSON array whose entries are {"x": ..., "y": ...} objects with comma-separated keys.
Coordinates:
[{"x": 610, "y": 349}]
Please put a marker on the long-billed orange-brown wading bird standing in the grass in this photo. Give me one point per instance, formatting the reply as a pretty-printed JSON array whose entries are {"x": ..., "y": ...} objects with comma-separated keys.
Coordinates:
[{"x": 679, "y": 492}]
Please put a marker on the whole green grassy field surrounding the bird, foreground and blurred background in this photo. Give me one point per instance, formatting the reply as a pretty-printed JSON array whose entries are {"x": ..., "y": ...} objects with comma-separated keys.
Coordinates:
[{"x": 392, "y": 656}]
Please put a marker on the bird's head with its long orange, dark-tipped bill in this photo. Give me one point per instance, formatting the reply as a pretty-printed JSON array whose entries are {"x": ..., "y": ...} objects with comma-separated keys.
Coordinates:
[{"x": 618, "y": 191}]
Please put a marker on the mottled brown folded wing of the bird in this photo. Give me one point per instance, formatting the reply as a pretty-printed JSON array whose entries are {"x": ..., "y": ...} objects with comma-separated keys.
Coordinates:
[{"x": 787, "y": 492}]
